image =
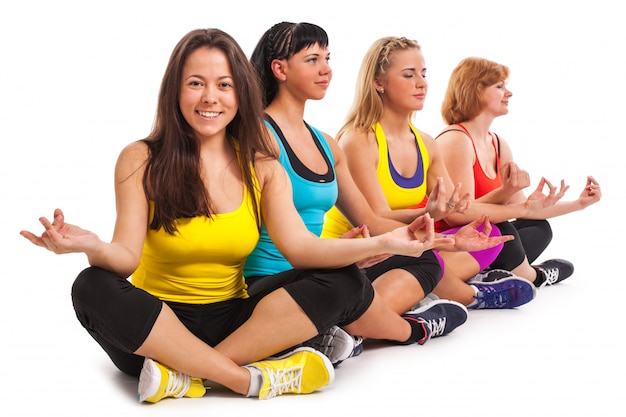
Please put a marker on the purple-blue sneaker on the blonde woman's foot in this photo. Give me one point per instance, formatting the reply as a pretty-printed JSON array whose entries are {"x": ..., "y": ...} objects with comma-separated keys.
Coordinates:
[{"x": 507, "y": 292}]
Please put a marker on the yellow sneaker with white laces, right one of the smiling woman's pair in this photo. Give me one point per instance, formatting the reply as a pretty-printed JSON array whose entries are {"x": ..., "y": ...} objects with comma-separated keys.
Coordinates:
[{"x": 301, "y": 371}]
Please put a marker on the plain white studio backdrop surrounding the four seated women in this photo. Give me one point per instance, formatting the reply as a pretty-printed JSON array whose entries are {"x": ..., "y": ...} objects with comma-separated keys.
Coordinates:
[{"x": 79, "y": 80}]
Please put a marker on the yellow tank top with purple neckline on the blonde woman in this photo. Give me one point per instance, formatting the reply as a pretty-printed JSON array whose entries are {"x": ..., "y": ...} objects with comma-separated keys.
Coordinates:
[{"x": 400, "y": 192}]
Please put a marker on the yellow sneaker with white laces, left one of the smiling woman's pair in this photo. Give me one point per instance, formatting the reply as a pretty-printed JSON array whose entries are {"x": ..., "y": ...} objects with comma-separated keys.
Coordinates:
[{"x": 157, "y": 381}]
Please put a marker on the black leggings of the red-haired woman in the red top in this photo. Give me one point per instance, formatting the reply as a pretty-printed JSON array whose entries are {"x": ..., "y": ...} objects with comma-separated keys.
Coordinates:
[{"x": 532, "y": 237}]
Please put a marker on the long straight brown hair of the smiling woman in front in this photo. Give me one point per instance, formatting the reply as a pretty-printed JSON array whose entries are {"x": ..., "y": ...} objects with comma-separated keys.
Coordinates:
[{"x": 172, "y": 176}]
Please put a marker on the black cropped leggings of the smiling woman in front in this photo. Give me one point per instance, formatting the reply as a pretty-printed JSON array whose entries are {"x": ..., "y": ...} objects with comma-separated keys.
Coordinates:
[{"x": 120, "y": 316}]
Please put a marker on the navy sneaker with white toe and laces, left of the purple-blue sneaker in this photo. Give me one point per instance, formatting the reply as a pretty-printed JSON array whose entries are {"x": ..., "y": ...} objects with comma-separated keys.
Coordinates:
[{"x": 439, "y": 316}]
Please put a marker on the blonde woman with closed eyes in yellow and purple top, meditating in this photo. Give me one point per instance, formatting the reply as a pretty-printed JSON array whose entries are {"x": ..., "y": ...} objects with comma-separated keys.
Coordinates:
[{"x": 397, "y": 167}]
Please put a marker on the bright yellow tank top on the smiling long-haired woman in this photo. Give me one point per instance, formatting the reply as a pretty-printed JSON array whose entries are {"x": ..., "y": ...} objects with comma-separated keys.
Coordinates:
[{"x": 203, "y": 261}]
